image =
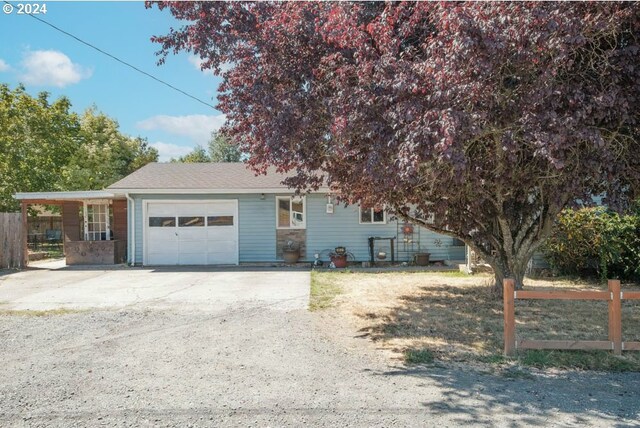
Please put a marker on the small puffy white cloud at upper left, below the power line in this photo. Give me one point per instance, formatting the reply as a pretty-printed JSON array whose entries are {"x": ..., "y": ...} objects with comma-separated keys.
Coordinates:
[{"x": 51, "y": 68}]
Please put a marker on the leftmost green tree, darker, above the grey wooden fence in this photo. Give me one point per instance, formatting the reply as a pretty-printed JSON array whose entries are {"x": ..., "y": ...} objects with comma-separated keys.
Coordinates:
[{"x": 37, "y": 138}]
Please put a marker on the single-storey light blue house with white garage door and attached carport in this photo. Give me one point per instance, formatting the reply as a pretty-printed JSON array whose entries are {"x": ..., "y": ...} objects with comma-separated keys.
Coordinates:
[{"x": 222, "y": 213}]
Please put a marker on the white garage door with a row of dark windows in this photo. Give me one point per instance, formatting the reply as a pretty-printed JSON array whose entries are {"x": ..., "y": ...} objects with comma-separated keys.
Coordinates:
[{"x": 191, "y": 232}]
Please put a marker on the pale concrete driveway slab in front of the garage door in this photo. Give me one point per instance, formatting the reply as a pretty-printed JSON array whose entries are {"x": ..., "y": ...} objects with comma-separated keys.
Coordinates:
[{"x": 52, "y": 285}]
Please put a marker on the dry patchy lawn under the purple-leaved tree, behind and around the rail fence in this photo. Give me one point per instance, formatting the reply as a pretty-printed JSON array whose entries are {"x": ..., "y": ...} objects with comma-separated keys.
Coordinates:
[{"x": 447, "y": 317}]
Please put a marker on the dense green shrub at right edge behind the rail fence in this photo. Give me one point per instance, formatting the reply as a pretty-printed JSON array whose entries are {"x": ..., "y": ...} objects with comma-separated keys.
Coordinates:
[{"x": 596, "y": 242}]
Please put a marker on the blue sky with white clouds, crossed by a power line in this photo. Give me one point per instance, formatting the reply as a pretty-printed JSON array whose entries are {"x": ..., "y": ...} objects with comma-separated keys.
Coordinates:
[{"x": 44, "y": 59}]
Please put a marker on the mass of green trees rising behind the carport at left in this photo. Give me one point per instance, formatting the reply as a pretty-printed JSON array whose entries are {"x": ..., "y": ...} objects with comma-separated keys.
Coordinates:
[{"x": 44, "y": 146}]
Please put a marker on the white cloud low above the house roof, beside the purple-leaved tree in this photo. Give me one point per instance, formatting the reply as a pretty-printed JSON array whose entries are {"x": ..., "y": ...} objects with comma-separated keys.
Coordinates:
[{"x": 197, "y": 127}]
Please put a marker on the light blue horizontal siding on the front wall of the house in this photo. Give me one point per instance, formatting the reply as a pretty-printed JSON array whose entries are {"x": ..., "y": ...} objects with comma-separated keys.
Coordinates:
[{"x": 257, "y": 229}]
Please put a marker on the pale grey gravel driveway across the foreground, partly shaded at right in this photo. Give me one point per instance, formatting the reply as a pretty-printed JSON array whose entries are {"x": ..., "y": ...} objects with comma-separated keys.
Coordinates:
[{"x": 260, "y": 364}]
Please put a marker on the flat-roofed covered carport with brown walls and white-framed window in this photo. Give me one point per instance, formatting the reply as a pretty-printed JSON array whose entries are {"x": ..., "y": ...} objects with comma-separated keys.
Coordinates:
[{"x": 94, "y": 224}]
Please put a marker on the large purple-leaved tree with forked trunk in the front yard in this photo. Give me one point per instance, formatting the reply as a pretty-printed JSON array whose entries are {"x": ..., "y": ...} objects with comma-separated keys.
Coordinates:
[{"x": 490, "y": 117}]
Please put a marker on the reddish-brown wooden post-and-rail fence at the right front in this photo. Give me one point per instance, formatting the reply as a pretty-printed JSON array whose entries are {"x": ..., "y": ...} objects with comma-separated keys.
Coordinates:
[{"x": 614, "y": 296}]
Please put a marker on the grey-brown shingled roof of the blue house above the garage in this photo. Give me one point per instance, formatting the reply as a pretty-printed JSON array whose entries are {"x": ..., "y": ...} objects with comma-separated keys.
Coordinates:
[{"x": 198, "y": 176}]
